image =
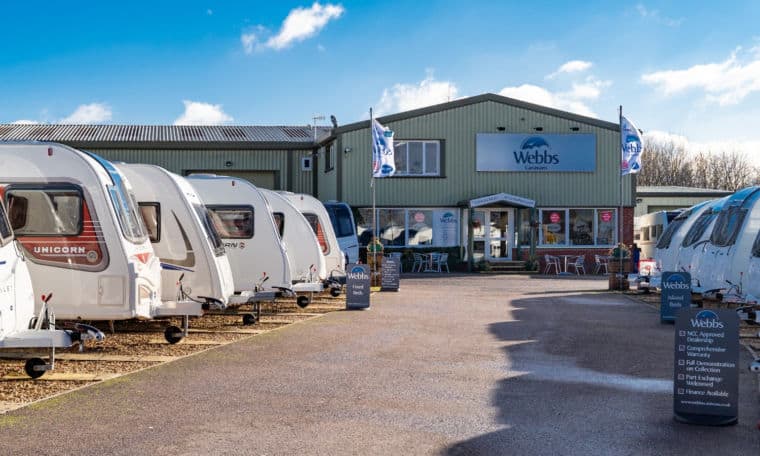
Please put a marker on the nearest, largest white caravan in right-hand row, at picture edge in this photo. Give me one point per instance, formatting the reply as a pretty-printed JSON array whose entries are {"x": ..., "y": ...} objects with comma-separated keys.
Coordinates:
[{"x": 725, "y": 258}]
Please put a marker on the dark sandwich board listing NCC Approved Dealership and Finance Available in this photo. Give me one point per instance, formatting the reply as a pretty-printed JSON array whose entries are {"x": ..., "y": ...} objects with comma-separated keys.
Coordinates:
[{"x": 706, "y": 371}]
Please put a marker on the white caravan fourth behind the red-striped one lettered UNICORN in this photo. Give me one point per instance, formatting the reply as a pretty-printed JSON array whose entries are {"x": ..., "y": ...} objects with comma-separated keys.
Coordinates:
[{"x": 317, "y": 216}]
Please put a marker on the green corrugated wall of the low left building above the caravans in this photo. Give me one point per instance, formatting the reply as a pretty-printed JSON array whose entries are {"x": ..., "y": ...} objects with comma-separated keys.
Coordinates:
[{"x": 182, "y": 161}]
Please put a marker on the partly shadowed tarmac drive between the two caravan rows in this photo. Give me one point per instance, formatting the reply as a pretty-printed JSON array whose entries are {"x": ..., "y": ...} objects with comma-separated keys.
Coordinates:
[{"x": 448, "y": 365}]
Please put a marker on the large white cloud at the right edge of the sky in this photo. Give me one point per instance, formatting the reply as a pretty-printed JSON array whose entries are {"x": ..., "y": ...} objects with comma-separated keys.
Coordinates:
[{"x": 724, "y": 83}]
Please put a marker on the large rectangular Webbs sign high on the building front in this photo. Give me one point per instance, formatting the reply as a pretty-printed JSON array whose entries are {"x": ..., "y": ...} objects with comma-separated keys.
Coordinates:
[{"x": 535, "y": 153}]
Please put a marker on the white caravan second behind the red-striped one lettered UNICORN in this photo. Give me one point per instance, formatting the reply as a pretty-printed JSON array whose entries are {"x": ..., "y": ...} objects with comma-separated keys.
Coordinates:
[{"x": 244, "y": 221}]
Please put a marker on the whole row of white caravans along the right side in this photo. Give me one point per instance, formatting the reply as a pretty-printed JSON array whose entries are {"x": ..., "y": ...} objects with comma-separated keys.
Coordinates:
[{"x": 718, "y": 243}]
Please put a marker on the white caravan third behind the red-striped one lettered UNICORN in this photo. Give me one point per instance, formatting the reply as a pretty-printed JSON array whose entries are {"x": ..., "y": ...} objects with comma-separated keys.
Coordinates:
[{"x": 307, "y": 264}]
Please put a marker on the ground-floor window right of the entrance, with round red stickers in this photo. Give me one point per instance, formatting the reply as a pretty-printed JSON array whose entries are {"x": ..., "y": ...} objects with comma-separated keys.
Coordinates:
[{"x": 577, "y": 227}]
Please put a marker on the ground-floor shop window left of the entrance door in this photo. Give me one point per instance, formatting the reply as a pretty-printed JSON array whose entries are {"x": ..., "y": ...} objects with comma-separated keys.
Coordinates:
[{"x": 412, "y": 227}]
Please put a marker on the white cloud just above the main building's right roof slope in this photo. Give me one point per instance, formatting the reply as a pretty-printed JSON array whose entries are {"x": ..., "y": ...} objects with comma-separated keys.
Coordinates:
[{"x": 574, "y": 100}]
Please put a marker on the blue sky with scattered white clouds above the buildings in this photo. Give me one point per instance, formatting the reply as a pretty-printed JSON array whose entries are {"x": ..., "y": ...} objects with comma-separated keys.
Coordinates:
[{"x": 690, "y": 69}]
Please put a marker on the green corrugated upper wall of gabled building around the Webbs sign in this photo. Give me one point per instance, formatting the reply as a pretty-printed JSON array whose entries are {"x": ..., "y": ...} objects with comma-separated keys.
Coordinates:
[{"x": 458, "y": 128}]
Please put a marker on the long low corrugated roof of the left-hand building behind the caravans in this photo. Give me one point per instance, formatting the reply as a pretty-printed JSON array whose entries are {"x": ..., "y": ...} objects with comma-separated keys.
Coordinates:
[{"x": 165, "y": 135}]
